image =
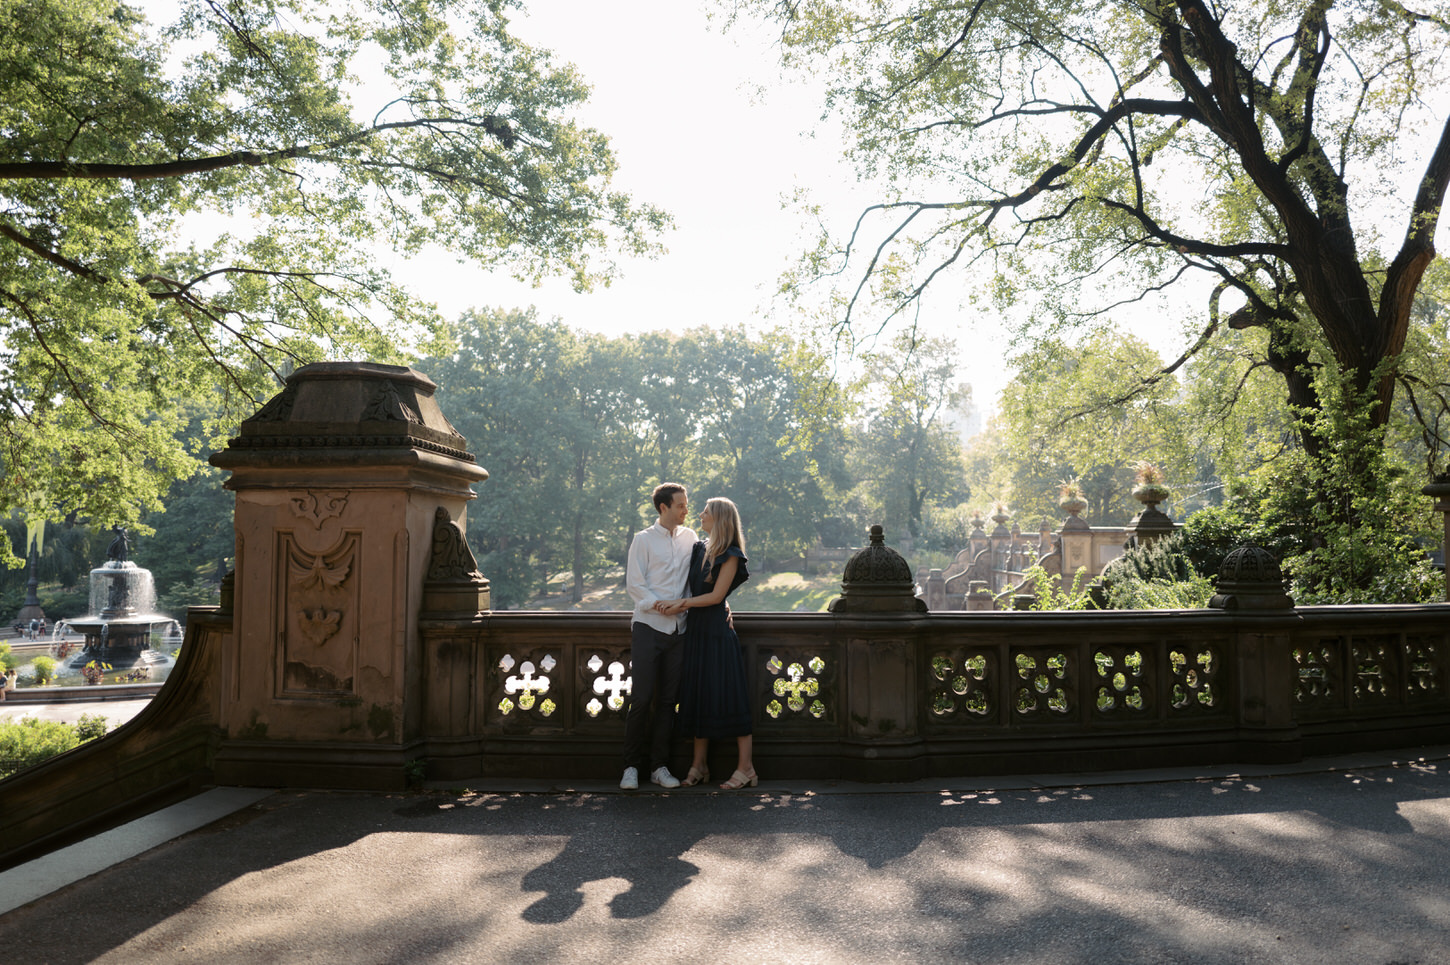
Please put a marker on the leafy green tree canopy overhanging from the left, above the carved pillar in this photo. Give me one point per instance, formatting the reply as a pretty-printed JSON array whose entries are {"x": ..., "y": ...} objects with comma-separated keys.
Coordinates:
[{"x": 323, "y": 133}]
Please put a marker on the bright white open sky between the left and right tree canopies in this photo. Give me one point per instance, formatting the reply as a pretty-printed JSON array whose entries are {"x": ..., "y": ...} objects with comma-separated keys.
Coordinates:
[{"x": 704, "y": 127}]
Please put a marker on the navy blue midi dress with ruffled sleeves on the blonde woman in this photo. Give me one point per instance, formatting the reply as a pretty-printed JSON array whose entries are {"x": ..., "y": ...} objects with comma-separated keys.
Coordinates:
[{"x": 714, "y": 693}]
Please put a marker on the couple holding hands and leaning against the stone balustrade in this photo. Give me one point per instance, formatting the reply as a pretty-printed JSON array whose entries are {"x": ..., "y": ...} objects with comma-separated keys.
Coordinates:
[{"x": 695, "y": 659}]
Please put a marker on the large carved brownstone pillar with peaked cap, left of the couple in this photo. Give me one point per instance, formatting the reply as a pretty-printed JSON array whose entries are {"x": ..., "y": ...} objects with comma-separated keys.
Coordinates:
[{"x": 340, "y": 483}]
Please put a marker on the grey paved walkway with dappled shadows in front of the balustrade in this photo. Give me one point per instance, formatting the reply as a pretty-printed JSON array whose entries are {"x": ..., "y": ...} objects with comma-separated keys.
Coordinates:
[{"x": 1322, "y": 866}]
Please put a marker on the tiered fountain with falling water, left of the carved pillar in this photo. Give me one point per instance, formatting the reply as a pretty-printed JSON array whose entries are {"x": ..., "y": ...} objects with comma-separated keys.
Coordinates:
[{"x": 123, "y": 603}]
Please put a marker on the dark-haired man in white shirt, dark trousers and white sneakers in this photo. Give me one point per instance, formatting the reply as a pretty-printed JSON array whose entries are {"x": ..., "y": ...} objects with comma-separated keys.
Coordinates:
[{"x": 659, "y": 570}]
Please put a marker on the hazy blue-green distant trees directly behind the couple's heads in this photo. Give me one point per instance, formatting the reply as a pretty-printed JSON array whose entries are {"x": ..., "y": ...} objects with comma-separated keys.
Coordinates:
[{"x": 575, "y": 430}]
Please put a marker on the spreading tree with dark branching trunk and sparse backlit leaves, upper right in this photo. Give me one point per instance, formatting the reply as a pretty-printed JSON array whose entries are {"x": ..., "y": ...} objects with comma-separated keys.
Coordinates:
[{"x": 1098, "y": 153}]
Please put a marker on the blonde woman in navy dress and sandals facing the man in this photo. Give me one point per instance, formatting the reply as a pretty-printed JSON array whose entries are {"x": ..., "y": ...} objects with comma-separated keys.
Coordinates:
[{"x": 714, "y": 692}]
